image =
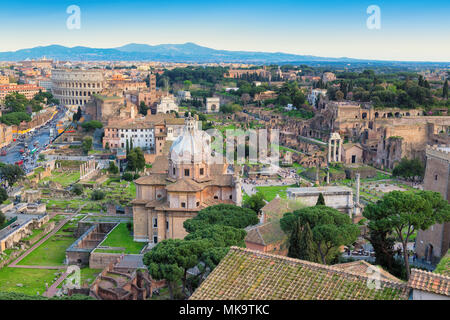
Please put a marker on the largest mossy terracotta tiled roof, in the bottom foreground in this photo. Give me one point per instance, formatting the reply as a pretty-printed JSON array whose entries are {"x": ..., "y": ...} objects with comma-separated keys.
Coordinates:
[{"x": 245, "y": 274}]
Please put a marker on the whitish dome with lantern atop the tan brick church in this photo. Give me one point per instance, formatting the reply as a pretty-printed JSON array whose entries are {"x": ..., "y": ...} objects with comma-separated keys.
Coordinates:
[{"x": 192, "y": 145}]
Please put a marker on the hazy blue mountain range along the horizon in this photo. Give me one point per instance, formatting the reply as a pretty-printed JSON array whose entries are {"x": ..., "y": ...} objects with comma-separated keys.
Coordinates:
[{"x": 188, "y": 52}]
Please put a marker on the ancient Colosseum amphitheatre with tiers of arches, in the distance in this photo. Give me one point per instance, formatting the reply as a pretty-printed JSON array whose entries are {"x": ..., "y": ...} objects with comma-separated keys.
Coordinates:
[{"x": 74, "y": 88}]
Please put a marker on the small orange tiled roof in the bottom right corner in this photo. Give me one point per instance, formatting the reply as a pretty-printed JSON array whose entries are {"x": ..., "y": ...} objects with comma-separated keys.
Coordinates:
[{"x": 430, "y": 282}]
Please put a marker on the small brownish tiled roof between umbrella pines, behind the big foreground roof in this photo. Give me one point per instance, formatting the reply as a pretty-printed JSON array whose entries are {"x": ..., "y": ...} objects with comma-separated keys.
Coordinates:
[{"x": 265, "y": 234}]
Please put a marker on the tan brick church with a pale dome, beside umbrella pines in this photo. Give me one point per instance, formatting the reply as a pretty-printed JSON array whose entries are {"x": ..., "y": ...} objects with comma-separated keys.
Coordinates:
[{"x": 187, "y": 182}]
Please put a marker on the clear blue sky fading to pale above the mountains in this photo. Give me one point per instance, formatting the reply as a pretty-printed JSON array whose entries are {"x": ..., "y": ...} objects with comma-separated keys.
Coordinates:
[{"x": 410, "y": 30}]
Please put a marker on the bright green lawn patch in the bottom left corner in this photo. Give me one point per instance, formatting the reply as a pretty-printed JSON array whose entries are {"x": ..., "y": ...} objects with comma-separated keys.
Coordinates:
[{"x": 33, "y": 280}]
